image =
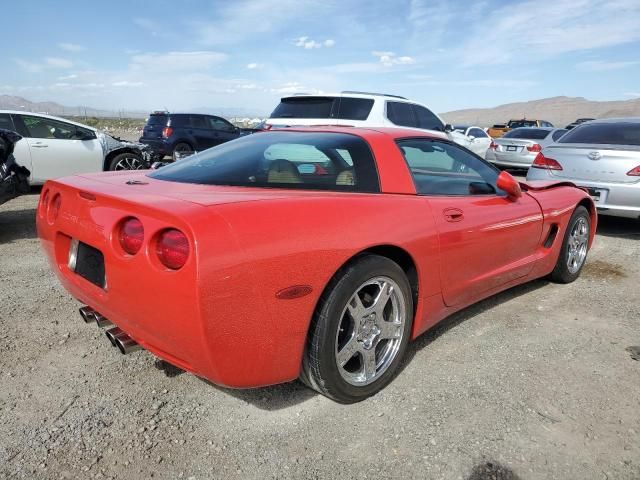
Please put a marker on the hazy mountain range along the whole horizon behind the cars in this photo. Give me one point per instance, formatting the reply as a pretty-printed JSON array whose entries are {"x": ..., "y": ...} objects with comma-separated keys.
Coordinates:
[{"x": 558, "y": 110}]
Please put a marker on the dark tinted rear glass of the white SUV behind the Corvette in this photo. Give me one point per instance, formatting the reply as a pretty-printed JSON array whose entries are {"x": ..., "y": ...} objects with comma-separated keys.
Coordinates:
[{"x": 345, "y": 108}]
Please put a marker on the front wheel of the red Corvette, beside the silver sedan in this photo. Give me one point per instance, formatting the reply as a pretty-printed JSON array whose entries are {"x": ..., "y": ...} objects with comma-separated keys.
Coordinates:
[{"x": 575, "y": 247}]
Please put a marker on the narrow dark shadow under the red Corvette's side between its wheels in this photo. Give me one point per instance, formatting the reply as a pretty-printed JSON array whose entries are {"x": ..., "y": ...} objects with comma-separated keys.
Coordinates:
[{"x": 471, "y": 311}]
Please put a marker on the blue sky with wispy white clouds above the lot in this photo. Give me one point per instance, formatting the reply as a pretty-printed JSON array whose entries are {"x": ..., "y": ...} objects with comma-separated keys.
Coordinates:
[{"x": 246, "y": 54}]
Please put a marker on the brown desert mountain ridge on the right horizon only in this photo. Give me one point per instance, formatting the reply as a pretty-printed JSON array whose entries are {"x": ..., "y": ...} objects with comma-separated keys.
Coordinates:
[{"x": 558, "y": 110}]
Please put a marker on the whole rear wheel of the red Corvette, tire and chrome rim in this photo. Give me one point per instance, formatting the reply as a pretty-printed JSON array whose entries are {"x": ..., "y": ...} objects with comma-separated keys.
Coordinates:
[{"x": 360, "y": 330}]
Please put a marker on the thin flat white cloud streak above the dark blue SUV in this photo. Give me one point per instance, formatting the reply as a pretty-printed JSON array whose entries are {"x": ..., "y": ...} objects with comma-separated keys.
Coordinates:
[{"x": 177, "y": 61}]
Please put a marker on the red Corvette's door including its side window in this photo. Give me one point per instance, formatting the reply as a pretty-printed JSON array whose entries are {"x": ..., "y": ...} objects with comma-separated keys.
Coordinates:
[{"x": 486, "y": 239}]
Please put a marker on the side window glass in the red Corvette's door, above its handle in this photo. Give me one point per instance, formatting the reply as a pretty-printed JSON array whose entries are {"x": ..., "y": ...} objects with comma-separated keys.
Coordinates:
[{"x": 442, "y": 168}]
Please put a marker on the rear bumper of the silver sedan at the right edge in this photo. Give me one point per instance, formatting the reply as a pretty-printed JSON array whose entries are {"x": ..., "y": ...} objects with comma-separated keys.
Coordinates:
[{"x": 615, "y": 199}]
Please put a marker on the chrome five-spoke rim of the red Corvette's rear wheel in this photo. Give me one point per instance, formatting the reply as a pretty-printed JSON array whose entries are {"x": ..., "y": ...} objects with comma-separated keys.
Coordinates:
[{"x": 370, "y": 331}]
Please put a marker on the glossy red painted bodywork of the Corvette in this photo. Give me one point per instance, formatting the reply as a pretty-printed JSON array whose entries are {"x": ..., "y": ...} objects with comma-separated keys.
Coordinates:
[{"x": 219, "y": 317}]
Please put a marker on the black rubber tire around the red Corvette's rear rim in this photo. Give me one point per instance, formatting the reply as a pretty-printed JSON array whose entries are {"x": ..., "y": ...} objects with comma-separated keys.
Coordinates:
[{"x": 320, "y": 369}]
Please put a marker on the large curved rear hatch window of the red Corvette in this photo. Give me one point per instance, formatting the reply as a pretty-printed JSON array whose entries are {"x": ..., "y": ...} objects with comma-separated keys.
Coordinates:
[{"x": 281, "y": 159}]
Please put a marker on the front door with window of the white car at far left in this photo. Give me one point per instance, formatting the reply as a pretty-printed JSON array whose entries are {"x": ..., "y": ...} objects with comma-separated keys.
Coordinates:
[{"x": 59, "y": 148}]
